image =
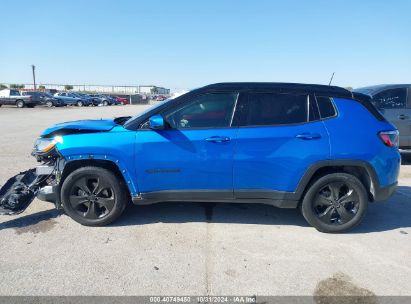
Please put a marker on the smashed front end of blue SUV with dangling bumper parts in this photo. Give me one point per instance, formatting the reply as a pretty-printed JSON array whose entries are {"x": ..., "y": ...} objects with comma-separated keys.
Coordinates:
[{"x": 20, "y": 190}]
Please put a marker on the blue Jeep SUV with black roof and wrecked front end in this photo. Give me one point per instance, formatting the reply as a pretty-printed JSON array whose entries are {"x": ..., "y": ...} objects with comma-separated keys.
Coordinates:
[{"x": 320, "y": 148}]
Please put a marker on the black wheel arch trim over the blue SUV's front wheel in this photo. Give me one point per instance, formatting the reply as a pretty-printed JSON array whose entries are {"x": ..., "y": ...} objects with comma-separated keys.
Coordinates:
[{"x": 106, "y": 164}]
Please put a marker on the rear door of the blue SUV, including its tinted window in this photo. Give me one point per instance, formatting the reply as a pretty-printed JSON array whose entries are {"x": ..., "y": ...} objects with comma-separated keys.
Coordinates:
[{"x": 279, "y": 138}]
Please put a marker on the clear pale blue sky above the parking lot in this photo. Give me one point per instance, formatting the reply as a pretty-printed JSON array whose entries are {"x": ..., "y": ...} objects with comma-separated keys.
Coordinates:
[{"x": 185, "y": 44}]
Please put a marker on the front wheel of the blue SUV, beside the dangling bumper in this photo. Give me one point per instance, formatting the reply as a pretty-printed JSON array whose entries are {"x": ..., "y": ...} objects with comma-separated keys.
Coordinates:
[{"x": 93, "y": 196}]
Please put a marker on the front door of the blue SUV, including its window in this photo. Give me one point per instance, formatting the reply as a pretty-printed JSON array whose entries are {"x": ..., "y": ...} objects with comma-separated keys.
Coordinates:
[{"x": 193, "y": 156}]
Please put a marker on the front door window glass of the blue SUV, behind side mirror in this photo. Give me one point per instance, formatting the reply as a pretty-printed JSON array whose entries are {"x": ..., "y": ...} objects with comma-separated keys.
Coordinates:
[{"x": 211, "y": 110}]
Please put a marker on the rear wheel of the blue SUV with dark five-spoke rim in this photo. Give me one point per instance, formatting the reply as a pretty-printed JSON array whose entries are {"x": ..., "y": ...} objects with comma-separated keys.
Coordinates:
[{"x": 335, "y": 203}]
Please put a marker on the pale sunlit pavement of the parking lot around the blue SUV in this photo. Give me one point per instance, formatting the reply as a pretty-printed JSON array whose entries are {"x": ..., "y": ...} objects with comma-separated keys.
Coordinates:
[{"x": 191, "y": 248}]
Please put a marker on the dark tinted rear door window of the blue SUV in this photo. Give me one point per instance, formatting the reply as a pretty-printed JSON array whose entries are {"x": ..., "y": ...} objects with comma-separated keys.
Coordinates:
[{"x": 276, "y": 109}]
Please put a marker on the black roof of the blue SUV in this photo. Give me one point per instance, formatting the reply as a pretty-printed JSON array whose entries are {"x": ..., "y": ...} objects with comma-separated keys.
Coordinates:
[{"x": 322, "y": 90}]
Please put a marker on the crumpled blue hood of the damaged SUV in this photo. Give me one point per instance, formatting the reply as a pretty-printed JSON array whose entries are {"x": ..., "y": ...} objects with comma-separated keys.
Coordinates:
[{"x": 79, "y": 126}]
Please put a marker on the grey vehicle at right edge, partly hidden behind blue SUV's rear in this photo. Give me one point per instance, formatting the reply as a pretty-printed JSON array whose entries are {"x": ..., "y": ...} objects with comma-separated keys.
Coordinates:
[{"x": 394, "y": 102}]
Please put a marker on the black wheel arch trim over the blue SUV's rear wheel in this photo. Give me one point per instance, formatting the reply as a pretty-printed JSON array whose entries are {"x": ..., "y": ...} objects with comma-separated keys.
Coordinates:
[{"x": 358, "y": 171}]
